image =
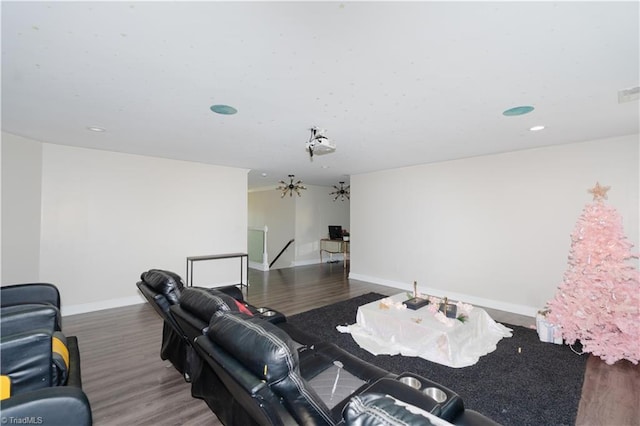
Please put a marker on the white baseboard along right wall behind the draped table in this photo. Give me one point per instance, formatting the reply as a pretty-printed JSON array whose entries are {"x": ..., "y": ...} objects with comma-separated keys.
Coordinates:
[{"x": 529, "y": 311}]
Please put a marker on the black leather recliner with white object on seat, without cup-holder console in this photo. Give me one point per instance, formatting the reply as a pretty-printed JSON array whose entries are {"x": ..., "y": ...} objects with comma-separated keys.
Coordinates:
[{"x": 257, "y": 360}]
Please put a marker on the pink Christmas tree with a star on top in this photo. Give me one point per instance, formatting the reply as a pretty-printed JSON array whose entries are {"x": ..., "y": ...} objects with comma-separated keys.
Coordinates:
[{"x": 598, "y": 302}]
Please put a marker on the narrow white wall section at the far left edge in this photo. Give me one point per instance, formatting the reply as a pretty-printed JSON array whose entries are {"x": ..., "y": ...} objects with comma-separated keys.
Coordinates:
[{"x": 21, "y": 193}]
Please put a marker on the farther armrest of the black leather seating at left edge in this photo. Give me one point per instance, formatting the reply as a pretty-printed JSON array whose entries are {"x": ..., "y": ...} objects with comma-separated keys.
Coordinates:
[{"x": 23, "y": 318}]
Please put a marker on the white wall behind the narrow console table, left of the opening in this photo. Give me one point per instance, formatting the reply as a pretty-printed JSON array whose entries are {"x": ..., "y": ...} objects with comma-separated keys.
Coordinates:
[{"x": 106, "y": 217}]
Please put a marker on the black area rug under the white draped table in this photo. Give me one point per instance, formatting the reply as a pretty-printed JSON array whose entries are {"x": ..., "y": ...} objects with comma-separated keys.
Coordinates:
[{"x": 540, "y": 385}]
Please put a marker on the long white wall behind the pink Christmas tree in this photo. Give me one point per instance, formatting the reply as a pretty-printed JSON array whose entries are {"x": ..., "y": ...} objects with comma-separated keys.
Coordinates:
[{"x": 490, "y": 230}]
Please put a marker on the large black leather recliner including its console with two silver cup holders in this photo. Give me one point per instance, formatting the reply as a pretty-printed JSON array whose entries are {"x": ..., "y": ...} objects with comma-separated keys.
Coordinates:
[{"x": 279, "y": 381}]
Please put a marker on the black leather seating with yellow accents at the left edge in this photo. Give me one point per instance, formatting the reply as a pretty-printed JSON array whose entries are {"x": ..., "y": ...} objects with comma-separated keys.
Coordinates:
[{"x": 39, "y": 364}]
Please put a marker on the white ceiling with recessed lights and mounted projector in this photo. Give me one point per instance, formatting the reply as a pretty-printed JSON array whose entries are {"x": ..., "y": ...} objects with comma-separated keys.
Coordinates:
[{"x": 394, "y": 84}]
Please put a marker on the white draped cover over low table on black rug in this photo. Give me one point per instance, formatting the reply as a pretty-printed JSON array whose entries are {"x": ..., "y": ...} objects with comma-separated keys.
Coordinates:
[{"x": 418, "y": 333}]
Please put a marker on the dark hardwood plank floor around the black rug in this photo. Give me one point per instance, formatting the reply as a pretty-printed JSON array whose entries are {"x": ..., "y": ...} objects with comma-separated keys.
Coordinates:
[{"x": 128, "y": 384}]
